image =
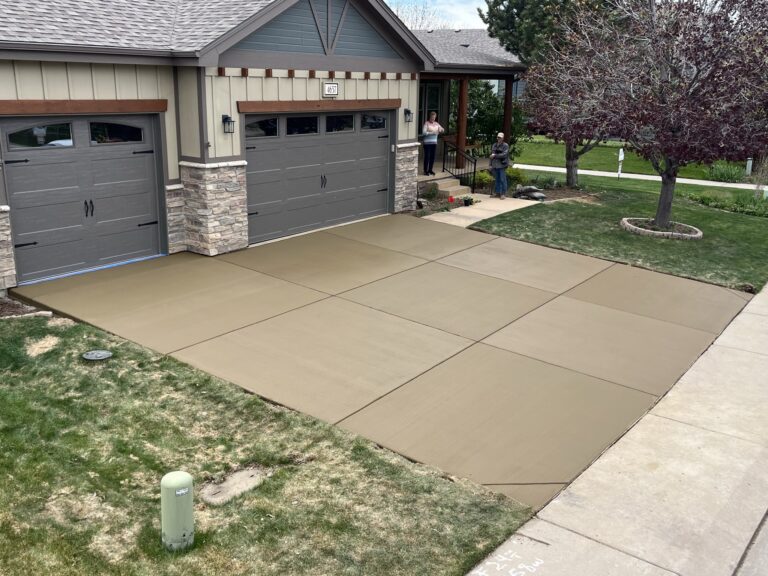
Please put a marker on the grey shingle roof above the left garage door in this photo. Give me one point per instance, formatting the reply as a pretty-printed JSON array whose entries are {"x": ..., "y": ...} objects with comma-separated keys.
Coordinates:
[{"x": 161, "y": 25}]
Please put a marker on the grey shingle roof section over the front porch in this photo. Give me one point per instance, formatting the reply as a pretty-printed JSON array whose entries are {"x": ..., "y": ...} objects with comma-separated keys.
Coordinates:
[{"x": 471, "y": 47}]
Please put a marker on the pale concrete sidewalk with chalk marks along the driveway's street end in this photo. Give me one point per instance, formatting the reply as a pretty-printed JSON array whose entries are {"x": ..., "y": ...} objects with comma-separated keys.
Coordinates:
[{"x": 684, "y": 492}]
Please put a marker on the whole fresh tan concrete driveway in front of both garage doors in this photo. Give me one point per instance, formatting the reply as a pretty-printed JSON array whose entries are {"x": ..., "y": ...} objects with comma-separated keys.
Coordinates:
[{"x": 504, "y": 362}]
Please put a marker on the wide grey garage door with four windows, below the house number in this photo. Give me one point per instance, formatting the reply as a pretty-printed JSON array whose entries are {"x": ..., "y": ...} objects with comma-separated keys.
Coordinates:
[{"x": 307, "y": 171}]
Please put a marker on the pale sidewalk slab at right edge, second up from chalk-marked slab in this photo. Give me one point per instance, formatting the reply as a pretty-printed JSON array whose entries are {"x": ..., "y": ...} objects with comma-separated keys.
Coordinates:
[{"x": 725, "y": 391}]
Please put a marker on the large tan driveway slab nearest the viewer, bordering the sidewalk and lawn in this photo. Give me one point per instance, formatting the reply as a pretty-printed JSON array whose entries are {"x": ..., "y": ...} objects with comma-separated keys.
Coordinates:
[{"x": 500, "y": 418}]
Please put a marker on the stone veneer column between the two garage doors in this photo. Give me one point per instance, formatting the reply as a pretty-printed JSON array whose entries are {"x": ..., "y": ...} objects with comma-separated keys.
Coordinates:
[{"x": 215, "y": 207}]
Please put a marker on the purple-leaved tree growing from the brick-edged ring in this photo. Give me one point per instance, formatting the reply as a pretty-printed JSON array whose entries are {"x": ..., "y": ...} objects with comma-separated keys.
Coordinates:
[{"x": 684, "y": 80}]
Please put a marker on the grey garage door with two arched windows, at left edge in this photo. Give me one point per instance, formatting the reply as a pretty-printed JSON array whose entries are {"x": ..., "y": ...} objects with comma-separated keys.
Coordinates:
[{"x": 83, "y": 192}]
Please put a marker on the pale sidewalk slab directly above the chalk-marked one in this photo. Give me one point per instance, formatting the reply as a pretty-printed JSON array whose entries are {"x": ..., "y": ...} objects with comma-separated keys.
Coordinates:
[{"x": 674, "y": 495}]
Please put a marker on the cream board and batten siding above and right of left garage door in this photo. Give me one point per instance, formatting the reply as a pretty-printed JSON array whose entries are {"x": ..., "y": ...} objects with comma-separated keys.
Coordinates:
[{"x": 30, "y": 80}]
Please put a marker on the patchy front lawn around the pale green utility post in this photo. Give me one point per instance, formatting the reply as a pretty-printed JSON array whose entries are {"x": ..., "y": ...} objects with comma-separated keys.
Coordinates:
[{"x": 83, "y": 448}]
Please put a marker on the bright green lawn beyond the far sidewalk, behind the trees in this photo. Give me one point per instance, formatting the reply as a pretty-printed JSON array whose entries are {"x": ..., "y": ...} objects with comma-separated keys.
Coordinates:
[{"x": 543, "y": 152}]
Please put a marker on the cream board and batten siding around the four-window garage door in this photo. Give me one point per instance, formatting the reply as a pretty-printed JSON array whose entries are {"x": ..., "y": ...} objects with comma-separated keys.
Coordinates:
[{"x": 223, "y": 93}]
